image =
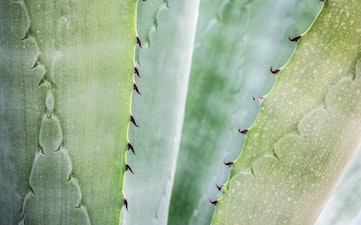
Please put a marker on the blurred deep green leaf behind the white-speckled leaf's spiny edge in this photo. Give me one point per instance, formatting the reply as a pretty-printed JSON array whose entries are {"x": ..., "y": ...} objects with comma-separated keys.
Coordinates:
[{"x": 233, "y": 52}]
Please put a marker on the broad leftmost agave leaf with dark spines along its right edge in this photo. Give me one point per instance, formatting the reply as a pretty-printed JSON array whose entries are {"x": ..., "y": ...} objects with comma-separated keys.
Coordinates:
[{"x": 65, "y": 109}]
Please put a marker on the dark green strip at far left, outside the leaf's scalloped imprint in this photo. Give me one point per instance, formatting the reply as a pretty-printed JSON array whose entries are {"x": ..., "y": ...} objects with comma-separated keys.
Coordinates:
[{"x": 21, "y": 106}]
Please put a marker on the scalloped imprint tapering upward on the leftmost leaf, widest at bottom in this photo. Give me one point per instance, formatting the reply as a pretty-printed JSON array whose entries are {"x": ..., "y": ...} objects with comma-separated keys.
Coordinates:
[{"x": 53, "y": 155}]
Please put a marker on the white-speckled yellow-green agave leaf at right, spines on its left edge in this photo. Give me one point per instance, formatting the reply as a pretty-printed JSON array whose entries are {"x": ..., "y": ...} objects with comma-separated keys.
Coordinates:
[{"x": 297, "y": 163}]
